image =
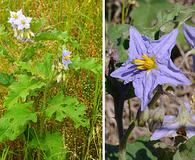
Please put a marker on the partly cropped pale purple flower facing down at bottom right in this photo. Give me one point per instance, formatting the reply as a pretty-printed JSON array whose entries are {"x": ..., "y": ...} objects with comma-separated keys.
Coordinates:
[{"x": 183, "y": 124}]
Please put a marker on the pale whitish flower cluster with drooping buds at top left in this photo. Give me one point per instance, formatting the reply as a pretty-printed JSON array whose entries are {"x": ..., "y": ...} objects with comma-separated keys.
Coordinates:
[{"x": 21, "y": 26}]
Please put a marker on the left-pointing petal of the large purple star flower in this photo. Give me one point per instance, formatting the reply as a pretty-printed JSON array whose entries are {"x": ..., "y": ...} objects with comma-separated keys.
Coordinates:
[{"x": 126, "y": 72}]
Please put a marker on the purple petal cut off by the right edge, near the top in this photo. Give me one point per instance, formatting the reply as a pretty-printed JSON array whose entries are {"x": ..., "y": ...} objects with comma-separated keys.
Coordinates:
[{"x": 189, "y": 33}]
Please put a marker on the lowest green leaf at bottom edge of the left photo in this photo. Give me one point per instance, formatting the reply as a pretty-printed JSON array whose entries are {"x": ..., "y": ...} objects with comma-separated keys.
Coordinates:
[{"x": 52, "y": 145}]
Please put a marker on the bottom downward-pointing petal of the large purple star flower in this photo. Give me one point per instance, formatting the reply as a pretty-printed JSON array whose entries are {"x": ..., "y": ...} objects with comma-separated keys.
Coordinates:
[{"x": 144, "y": 87}]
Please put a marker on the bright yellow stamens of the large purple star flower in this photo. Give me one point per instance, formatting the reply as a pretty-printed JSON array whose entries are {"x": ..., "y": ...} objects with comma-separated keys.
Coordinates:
[{"x": 147, "y": 63}]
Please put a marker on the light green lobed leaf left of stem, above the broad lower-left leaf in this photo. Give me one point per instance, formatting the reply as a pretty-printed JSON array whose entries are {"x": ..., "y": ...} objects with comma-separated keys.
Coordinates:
[{"x": 21, "y": 89}]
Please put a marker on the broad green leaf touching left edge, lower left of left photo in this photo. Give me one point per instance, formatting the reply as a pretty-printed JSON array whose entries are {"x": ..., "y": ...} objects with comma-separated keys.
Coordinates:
[{"x": 14, "y": 121}]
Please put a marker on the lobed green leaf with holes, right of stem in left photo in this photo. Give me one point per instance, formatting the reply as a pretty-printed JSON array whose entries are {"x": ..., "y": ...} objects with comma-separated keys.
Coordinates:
[{"x": 67, "y": 107}]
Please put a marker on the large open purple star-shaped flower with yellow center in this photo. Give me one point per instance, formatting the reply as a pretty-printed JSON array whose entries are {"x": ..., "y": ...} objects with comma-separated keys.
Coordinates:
[{"x": 149, "y": 64}]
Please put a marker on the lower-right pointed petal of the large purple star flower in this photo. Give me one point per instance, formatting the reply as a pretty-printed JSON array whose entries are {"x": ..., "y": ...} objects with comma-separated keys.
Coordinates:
[{"x": 170, "y": 74}]
